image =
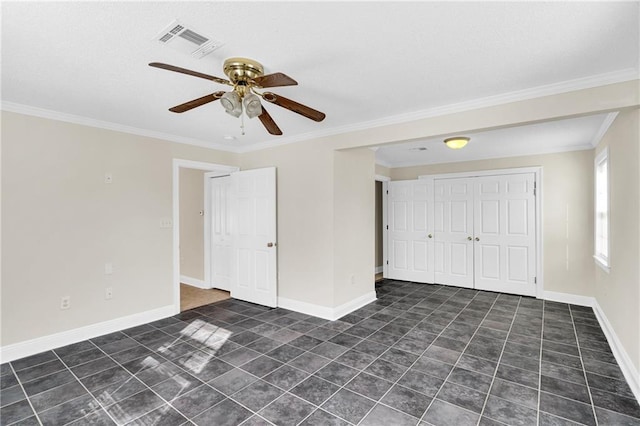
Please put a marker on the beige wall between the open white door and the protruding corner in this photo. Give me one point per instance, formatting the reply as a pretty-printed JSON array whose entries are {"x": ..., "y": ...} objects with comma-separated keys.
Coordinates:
[{"x": 305, "y": 218}]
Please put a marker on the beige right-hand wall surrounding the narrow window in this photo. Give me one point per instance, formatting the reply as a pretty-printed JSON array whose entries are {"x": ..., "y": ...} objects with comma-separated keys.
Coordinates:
[{"x": 618, "y": 292}]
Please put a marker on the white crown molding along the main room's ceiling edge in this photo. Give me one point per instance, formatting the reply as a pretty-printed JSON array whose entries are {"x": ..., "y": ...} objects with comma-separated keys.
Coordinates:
[{"x": 489, "y": 101}]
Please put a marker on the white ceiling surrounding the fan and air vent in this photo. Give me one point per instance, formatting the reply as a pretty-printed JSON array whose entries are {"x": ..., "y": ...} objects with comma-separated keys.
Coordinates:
[{"x": 362, "y": 63}]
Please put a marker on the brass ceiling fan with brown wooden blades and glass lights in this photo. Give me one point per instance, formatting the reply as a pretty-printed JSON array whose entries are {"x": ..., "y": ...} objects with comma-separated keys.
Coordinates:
[{"x": 247, "y": 77}]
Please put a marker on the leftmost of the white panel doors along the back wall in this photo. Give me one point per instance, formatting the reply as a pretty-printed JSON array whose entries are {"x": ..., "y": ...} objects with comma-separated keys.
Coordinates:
[{"x": 410, "y": 219}]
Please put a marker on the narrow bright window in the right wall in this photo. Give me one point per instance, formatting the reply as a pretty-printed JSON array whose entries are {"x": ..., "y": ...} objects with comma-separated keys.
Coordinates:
[{"x": 602, "y": 210}]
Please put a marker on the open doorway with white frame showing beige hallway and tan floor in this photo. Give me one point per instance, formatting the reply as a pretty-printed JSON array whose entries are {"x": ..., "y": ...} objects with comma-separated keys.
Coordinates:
[{"x": 192, "y": 286}]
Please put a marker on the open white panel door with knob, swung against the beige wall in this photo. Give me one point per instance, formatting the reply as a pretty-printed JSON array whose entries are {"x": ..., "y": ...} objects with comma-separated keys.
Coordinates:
[{"x": 254, "y": 261}]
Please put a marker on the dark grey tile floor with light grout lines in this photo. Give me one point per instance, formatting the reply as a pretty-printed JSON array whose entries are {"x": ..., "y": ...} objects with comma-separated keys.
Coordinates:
[{"x": 421, "y": 354}]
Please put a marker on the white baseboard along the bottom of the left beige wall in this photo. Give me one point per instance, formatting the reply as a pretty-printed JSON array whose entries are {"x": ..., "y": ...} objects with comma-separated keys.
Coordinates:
[{"x": 57, "y": 340}]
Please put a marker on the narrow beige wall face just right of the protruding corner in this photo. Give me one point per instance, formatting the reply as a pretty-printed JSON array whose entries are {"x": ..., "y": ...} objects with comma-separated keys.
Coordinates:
[{"x": 353, "y": 223}]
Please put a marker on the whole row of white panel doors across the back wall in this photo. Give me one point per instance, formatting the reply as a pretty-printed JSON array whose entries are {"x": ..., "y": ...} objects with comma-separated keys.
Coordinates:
[{"x": 474, "y": 232}]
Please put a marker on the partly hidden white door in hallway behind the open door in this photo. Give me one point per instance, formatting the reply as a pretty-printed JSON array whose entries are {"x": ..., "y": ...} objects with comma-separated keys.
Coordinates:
[{"x": 220, "y": 232}]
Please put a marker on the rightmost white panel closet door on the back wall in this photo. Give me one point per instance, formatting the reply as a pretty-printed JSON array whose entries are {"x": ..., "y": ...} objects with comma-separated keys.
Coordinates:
[{"x": 504, "y": 225}]
